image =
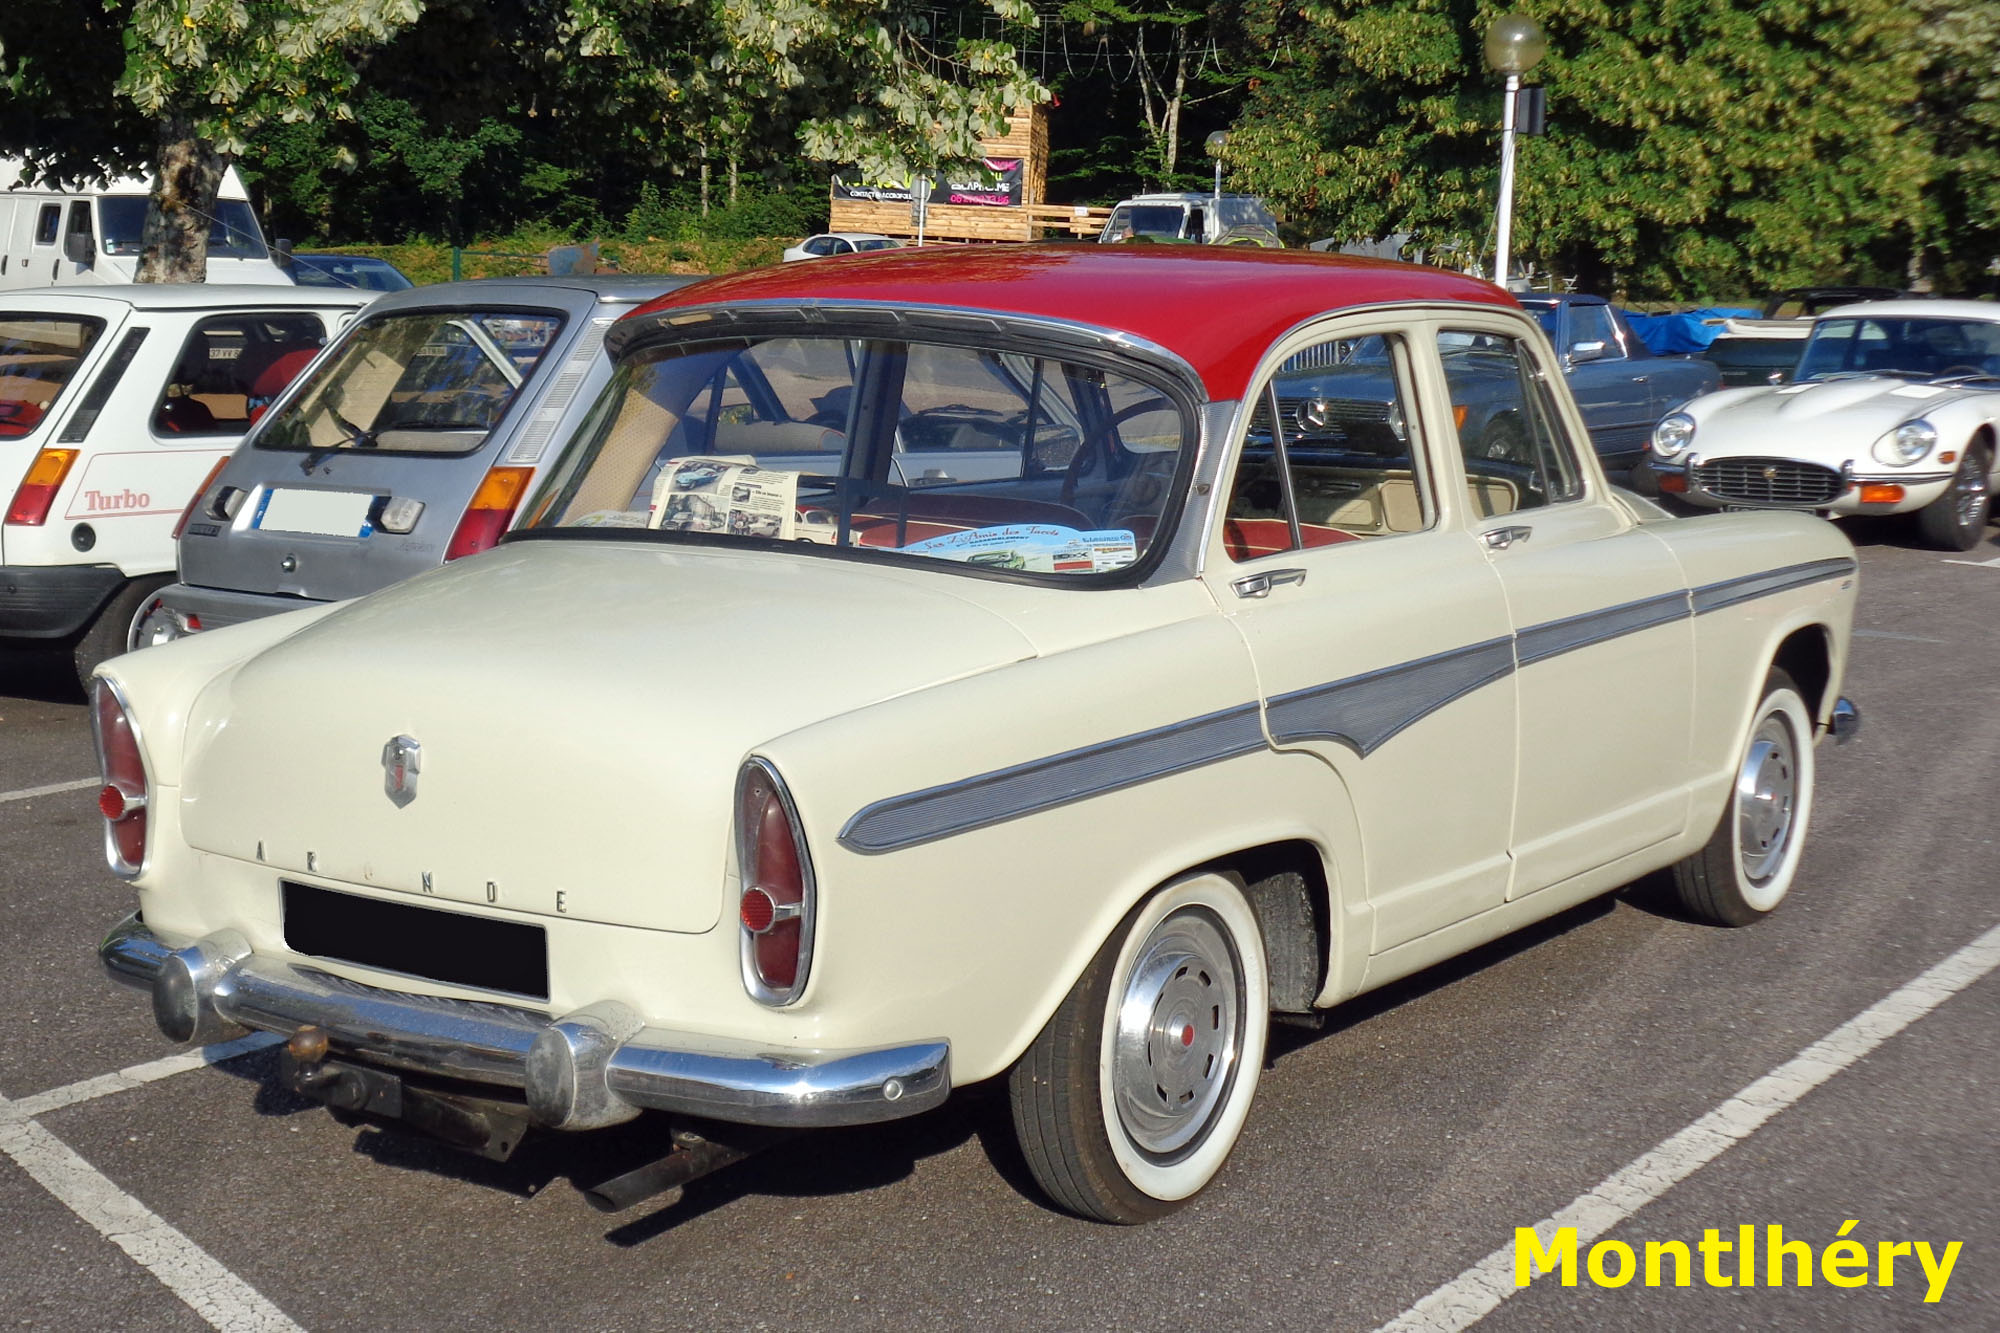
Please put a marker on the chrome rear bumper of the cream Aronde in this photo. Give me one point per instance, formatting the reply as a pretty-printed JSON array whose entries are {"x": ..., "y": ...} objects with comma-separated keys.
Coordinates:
[{"x": 579, "y": 1072}]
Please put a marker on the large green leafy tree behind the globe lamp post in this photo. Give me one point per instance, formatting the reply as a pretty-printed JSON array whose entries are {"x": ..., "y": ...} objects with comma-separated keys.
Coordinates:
[{"x": 1693, "y": 147}]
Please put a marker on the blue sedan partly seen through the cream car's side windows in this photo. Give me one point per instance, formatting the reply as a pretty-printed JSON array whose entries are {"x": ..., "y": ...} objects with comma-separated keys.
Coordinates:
[{"x": 1621, "y": 387}]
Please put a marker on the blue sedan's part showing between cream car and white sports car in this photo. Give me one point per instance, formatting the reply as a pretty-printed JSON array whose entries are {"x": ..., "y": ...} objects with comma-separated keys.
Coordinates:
[{"x": 1621, "y": 387}]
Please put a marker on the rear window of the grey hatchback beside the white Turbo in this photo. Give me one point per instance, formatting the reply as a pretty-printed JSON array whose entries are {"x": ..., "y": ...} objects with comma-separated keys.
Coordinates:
[{"x": 419, "y": 383}]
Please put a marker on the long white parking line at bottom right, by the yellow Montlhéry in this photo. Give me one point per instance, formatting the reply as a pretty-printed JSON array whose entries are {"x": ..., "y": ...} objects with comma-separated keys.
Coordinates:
[{"x": 1479, "y": 1290}]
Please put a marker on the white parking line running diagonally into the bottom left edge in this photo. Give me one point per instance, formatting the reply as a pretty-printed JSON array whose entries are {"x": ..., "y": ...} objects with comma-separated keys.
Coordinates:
[{"x": 189, "y": 1272}]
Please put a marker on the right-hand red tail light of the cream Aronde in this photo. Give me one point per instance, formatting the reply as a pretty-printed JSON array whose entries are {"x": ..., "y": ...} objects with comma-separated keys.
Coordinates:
[{"x": 777, "y": 874}]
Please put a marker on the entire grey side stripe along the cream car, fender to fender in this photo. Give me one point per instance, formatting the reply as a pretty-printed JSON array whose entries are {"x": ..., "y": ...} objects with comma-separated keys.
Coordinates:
[{"x": 1363, "y": 714}]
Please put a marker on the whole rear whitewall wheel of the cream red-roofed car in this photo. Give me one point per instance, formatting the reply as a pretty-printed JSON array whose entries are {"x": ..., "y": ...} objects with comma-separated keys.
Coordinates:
[{"x": 1133, "y": 1096}]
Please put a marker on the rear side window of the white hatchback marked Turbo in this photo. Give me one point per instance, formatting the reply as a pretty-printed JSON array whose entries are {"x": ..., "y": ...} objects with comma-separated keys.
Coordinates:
[{"x": 231, "y": 369}]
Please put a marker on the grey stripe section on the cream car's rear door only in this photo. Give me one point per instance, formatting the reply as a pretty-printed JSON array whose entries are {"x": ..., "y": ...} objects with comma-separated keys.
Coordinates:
[{"x": 1365, "y": 712}]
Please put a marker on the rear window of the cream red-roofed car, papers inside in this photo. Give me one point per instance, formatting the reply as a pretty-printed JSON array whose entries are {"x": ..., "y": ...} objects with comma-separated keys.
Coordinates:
[{"x": 975, "y": 457}]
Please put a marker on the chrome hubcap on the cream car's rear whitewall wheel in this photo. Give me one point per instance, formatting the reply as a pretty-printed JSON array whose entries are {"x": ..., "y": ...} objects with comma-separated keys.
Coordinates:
[{"x": 1179, "y": 1034}]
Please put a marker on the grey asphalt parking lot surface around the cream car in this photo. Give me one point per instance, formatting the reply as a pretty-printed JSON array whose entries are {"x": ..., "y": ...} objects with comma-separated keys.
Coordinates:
[{"x": 1561, "y": 1074}]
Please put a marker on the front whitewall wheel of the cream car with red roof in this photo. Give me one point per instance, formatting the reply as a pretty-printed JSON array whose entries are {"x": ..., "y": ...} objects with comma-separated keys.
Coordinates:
[{"x": 1749, "y": 864}]
